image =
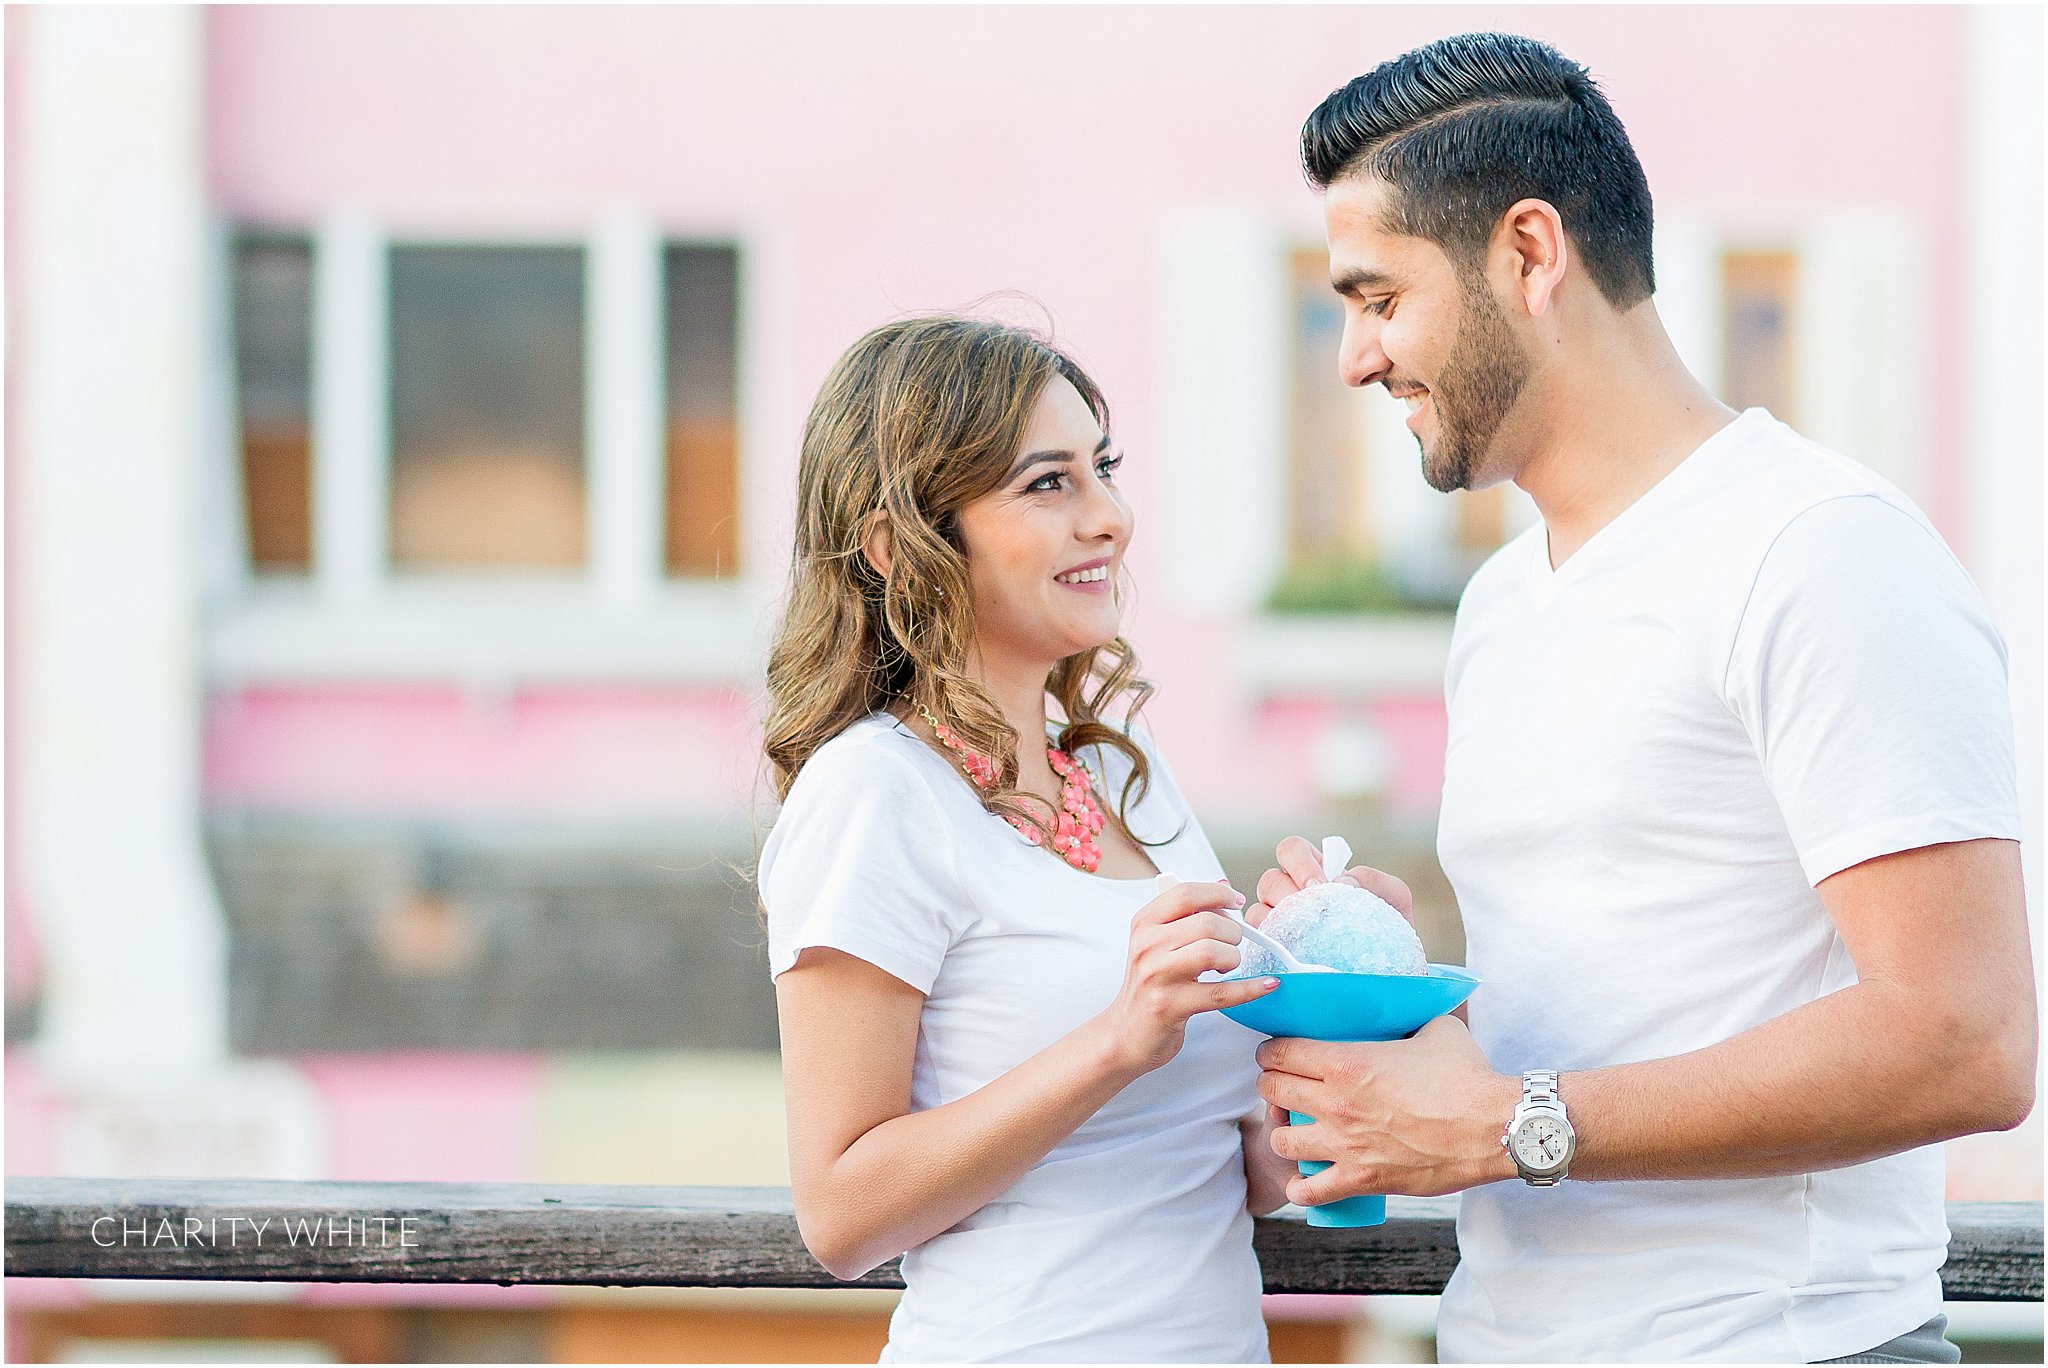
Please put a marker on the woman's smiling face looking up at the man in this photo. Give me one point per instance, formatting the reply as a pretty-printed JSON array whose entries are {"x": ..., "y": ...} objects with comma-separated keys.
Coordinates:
[{"x": 1043, "y": 550}]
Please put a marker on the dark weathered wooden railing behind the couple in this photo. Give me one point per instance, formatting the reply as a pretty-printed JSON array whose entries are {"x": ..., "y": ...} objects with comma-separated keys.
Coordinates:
[{"x": 722, "y": 1238}]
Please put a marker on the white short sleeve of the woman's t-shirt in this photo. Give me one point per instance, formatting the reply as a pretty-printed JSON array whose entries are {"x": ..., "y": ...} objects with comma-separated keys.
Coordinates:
[{"x": 859, "y": 863}]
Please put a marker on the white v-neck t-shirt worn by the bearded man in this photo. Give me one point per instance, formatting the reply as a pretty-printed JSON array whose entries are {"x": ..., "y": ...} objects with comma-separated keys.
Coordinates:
[{"x": 1762, "y": 673}]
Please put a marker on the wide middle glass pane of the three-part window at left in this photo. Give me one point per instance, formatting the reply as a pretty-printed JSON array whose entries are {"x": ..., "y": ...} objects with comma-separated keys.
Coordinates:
[{"x": 486, "y": 409}]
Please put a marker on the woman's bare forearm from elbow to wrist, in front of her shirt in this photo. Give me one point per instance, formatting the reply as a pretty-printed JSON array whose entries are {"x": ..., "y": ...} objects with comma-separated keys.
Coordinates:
[{"x": 921, "y": 1174}]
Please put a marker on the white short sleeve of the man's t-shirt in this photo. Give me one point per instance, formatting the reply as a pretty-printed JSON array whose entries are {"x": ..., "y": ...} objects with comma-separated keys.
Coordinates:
[{"x": 1875, "y": 689}]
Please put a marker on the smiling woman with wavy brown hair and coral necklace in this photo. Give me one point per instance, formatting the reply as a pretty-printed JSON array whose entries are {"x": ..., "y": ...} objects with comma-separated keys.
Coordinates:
[{"x": 996, "y": 1043}]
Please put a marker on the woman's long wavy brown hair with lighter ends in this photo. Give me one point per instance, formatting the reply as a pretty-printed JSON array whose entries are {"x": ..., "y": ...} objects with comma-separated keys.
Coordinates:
[{"x": 916, "y": 421}]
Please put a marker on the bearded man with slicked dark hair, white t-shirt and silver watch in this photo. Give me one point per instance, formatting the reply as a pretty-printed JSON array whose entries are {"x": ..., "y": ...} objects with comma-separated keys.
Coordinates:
[{"x": 1730, "y": 796}]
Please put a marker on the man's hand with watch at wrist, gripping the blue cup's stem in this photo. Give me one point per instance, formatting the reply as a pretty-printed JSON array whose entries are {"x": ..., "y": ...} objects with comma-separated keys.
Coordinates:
[{"x": 1418, "y": 1117}]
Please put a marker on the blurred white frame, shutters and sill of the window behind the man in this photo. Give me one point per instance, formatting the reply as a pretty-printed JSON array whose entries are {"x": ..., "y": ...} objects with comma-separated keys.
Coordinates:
[{"x": 1226, "y": 396}]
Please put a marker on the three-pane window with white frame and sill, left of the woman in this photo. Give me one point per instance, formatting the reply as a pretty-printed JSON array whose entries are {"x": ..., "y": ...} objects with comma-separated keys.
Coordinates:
[{"x": 527, "y": 458}]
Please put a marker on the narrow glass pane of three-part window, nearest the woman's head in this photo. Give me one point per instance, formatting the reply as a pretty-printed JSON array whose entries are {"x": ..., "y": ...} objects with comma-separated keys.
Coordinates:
[{"x": 703, "y": 411}]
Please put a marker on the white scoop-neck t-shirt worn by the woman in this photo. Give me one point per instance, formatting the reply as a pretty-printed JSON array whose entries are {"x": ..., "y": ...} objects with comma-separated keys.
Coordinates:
[{"x": 1129, "y": 1242}]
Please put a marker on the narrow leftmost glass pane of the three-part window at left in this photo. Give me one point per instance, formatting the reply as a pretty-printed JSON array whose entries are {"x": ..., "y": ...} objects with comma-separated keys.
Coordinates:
[{"x": 273, "y": 298}]
